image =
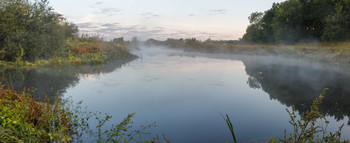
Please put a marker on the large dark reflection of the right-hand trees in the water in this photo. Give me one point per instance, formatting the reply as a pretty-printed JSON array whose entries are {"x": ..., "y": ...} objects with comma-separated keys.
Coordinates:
[{"x": 299, "y": 85}]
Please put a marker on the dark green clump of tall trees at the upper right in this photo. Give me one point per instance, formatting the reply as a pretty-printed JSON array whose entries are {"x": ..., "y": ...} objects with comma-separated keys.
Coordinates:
[{"x": 296, "y": 21}]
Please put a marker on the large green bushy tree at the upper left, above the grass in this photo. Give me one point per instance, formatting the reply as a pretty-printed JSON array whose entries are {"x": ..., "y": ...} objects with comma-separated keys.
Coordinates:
[{"x": 32, "y": 30}]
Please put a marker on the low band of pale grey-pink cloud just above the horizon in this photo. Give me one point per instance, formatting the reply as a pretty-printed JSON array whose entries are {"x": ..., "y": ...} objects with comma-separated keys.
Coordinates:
[{"x": 114, "y": 30}]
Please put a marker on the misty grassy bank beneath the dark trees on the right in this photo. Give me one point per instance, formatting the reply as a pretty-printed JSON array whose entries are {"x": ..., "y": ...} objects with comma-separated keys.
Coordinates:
[{"x": 335, "y": 53}]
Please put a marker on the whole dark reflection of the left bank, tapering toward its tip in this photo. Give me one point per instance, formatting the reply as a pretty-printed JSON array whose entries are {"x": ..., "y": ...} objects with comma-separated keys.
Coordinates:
[{"x": 53, "y": 80}]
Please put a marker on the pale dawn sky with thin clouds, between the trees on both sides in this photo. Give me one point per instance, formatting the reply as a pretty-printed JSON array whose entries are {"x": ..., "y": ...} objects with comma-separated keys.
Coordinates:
[{"x": 162, "y": 19}]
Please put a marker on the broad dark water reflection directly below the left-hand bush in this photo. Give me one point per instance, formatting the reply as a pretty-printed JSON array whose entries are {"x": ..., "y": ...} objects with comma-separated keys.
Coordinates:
[{"x": 42, "y": 82}]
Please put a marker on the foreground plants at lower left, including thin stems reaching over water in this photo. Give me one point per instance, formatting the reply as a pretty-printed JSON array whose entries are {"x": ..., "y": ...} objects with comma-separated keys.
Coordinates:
[{"x": 23, "y": 119}]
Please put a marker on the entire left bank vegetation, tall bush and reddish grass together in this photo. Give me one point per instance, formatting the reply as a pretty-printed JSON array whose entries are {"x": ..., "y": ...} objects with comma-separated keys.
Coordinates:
[{"x": 31, "y": 34}]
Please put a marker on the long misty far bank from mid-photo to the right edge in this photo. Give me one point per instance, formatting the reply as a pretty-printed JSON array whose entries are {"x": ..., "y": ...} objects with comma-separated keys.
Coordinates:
[{"x": 334, "y": 53}]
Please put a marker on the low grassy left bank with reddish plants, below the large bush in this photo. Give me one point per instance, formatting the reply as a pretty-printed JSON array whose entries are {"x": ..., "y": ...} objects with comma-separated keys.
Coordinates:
[{"x": 82, "y": 50}]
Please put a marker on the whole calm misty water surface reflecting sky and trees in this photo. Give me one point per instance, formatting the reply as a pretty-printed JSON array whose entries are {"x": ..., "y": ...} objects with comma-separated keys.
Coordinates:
[{"x": 184, "y": 92}]
